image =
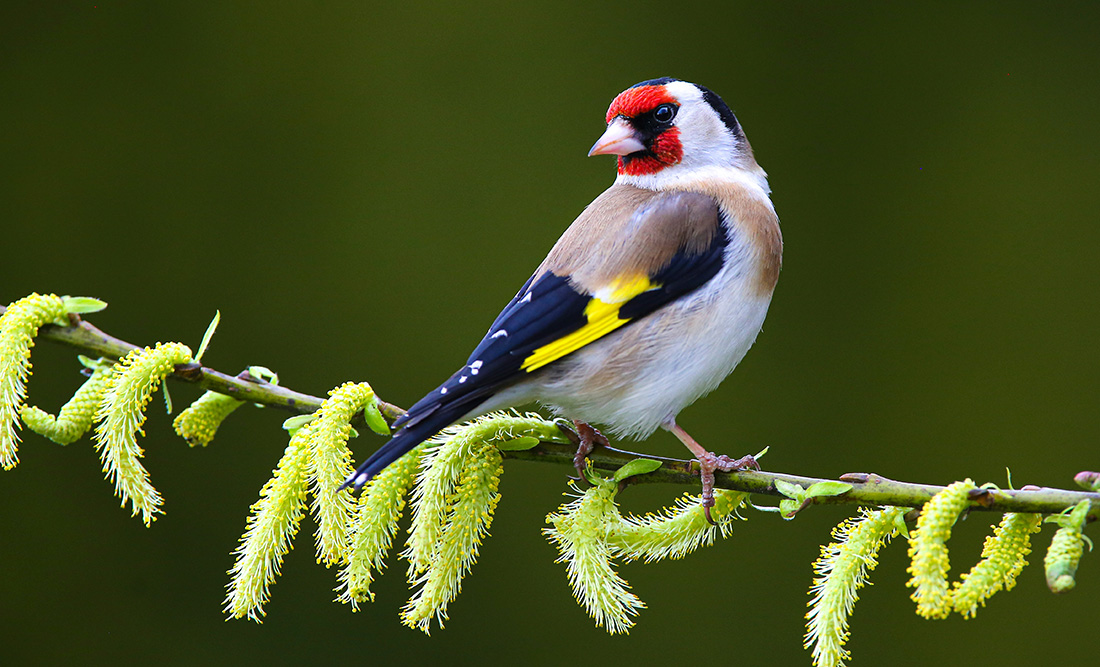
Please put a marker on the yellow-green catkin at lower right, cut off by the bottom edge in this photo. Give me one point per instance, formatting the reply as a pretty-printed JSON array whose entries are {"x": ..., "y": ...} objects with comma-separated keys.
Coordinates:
[{"x": 842, "y": 571}]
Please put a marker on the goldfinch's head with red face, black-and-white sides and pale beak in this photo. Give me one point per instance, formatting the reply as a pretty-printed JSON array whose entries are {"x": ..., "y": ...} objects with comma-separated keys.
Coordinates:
[{"x": 667, "y": 128}]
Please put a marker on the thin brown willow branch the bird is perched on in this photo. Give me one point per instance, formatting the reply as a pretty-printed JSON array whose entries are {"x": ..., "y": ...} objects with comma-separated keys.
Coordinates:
[{"x": 867, "y": 489}]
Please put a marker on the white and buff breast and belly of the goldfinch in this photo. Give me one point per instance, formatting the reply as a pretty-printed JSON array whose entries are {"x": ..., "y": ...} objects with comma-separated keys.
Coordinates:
[{"x": 639, "y": 377}]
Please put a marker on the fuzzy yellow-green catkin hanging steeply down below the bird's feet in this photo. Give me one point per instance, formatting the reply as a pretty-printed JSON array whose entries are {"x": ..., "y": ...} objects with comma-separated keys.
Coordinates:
[{"x": 581, "y": 531}]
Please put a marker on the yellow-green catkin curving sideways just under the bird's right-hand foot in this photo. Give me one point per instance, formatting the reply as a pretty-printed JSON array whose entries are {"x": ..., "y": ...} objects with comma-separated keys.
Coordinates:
[{"x": 677, "y": 531}]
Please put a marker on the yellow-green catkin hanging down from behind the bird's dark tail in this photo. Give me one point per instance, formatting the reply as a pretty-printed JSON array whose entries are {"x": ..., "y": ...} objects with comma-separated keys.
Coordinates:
[{"x": 377, "y": 516}]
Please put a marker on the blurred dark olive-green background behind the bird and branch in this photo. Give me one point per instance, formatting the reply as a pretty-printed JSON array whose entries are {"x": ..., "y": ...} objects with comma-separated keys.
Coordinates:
[{"x": 360, "y": 188}]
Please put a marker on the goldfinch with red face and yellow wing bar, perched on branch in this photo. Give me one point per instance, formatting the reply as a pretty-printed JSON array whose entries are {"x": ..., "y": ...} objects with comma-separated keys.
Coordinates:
[{"x": 646, "y": 303}]
